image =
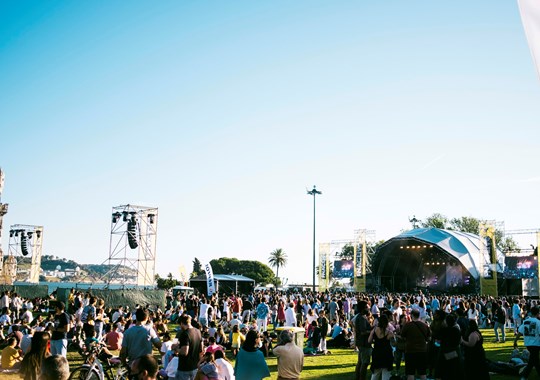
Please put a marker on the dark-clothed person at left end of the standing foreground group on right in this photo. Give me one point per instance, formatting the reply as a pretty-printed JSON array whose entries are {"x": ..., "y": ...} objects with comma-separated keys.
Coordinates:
[{"x": 362, "y": 329}]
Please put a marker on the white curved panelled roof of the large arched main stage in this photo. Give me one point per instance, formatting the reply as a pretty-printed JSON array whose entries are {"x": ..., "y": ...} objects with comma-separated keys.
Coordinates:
[{"x": 461, "y": 245}]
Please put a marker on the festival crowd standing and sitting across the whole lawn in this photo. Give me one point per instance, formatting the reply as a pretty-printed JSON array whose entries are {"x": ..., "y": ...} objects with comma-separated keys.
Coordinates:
[{"x": 435, "y": 336}]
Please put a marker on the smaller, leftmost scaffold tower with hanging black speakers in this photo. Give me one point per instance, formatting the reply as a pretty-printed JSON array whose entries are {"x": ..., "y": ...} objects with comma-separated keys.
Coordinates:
[{"x": 25, "y": 242}]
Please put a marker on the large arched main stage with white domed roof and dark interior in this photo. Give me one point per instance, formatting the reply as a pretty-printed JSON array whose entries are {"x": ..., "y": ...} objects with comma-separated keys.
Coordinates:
[{"x": 434, "y": 257}]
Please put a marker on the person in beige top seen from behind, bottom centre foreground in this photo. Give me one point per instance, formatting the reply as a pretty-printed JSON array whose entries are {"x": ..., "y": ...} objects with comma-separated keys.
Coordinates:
[{"x": 290, "y": 357}]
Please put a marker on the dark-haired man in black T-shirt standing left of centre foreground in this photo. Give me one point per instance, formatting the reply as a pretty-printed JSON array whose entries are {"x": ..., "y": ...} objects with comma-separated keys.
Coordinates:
[{"x": 190, "y": 348}]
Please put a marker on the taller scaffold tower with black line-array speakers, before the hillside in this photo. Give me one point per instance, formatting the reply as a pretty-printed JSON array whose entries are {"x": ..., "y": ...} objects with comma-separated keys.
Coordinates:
[{"x": 132, "y": 251}]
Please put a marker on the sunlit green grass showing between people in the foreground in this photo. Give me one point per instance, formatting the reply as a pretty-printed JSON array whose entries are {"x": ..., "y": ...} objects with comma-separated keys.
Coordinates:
[{"x": 340, "y": 364}]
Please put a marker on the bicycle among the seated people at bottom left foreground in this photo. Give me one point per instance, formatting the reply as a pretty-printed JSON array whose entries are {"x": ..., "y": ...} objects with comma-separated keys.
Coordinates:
[{"x": 93, "y": 369}]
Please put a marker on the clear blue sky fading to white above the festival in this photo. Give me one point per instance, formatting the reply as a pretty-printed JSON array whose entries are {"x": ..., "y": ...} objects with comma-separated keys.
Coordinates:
[{"x": 221, "y": 114}]
